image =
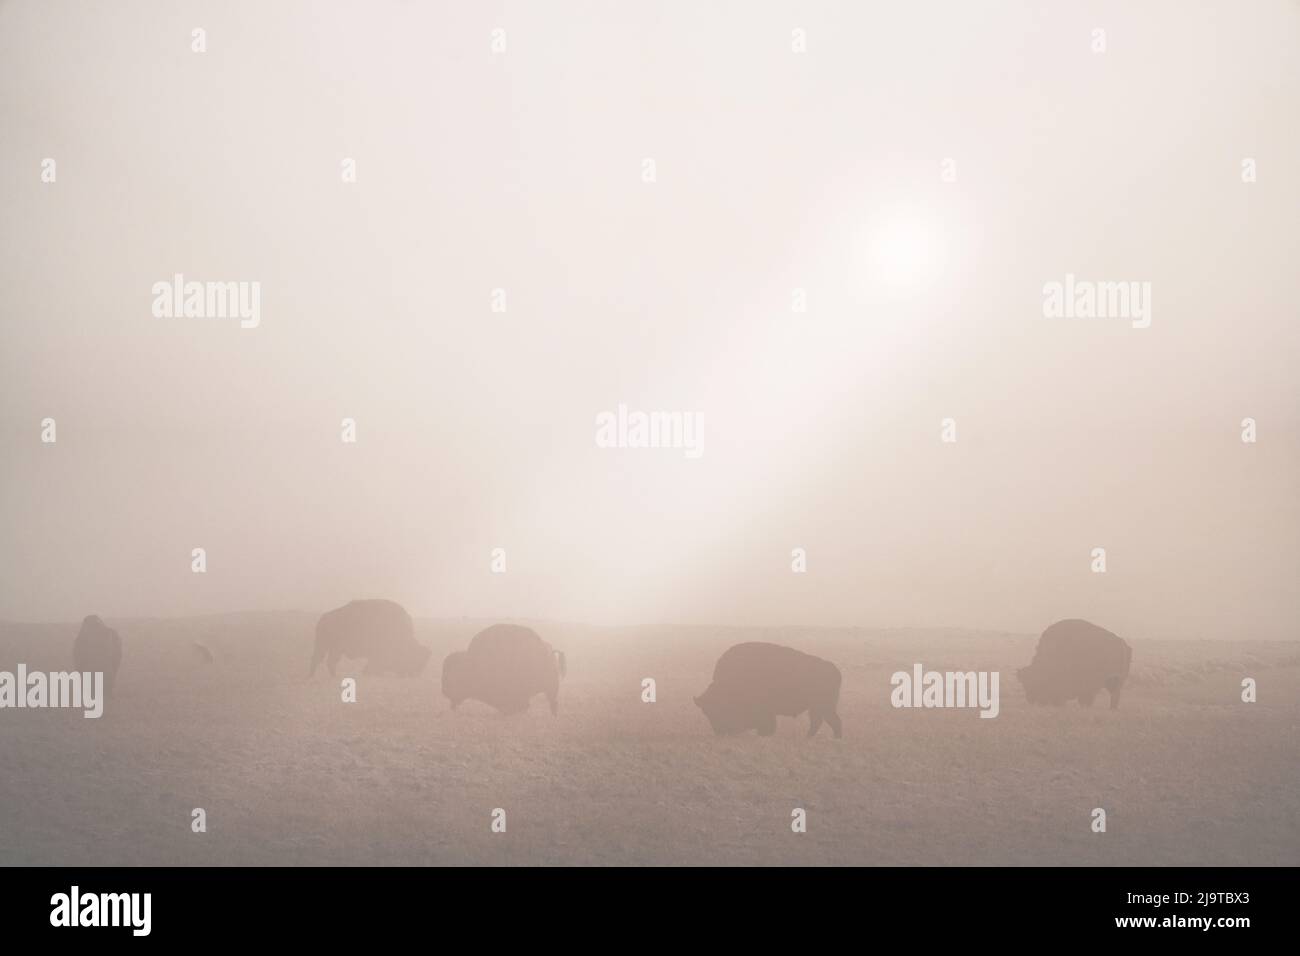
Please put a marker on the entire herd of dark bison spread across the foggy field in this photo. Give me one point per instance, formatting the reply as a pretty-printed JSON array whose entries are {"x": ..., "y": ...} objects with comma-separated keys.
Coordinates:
[{"x": 508, "y": 665}]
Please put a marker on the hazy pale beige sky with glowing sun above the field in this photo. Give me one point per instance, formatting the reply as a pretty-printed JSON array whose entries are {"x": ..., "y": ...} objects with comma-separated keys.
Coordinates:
[{"x": 775, "y": 171}]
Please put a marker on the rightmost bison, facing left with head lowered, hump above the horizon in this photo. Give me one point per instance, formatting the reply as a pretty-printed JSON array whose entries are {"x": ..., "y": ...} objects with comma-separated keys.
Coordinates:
[{"x": 1074, "y": 661}]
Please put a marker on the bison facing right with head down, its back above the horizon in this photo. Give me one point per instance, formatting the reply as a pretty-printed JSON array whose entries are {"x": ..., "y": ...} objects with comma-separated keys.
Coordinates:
[{"x": 380, "y": 631}]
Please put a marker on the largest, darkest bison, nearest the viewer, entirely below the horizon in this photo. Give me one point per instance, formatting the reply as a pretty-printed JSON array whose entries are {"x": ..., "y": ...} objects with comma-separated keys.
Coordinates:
[{"x": 756, "y": 682}]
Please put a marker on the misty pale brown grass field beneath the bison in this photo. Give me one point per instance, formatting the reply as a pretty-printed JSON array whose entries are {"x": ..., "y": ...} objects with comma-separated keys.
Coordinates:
[{"x": 289, "y": 775}]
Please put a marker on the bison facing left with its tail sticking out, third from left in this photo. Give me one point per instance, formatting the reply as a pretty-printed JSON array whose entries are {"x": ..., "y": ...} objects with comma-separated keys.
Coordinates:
[{"x": 505, "y": 667}]
